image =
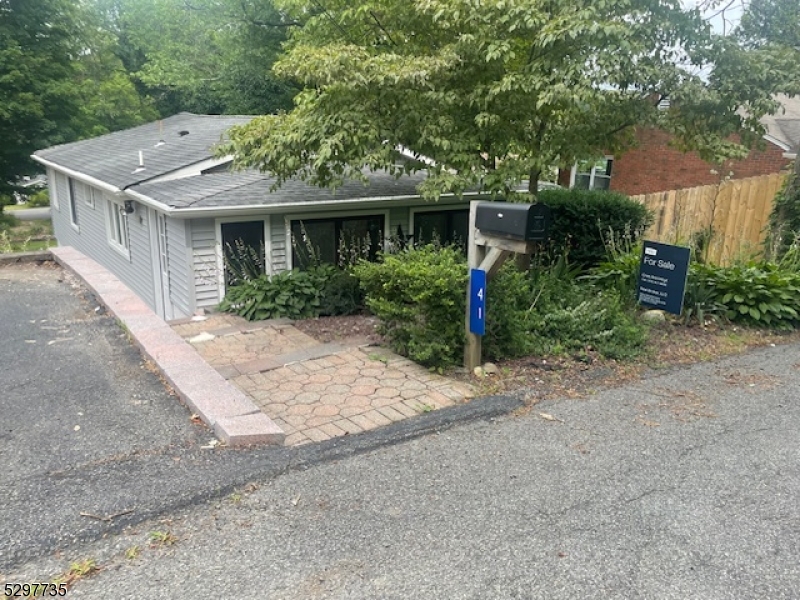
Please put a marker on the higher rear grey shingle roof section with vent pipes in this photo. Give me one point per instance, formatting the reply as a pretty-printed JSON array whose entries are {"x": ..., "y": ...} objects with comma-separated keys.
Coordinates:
[{"x": 114, "y": 158}]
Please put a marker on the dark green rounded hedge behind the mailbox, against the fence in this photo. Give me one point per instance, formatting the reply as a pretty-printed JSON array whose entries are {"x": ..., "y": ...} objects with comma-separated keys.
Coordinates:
[{"x": 583, "y": 218}]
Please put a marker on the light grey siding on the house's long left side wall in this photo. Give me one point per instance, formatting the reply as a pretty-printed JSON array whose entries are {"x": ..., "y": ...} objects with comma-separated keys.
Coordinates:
[{"x": 92, "y": 238}]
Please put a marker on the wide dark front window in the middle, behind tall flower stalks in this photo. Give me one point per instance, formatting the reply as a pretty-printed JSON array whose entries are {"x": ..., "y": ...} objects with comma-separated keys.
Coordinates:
[{"x": 339, "y": 241}]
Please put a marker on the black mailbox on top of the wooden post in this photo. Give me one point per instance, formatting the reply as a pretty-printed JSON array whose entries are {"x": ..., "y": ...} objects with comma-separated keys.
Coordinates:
[{"x": 525, "y": 222}]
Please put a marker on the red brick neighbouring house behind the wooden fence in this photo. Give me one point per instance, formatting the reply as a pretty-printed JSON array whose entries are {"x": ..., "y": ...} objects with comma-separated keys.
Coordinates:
[{"x": 655, "y": 166}]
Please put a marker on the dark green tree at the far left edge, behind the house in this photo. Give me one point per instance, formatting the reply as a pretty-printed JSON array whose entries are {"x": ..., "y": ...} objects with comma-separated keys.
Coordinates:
[{"x": 38, "y": 48}]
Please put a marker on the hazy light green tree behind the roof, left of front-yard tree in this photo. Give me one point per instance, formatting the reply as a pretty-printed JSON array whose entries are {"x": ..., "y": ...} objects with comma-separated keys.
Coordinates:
[{"x": 206, "y": 56}]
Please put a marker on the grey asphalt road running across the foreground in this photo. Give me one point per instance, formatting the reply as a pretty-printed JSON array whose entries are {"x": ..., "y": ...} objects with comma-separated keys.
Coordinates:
[{"x": 681, "y": 486}]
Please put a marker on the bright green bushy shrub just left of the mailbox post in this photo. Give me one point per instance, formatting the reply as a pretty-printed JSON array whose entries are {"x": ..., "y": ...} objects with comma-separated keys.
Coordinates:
[{"x": 419, "y": 295}]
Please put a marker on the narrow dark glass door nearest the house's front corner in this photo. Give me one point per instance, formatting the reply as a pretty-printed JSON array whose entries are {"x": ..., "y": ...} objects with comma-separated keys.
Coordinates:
[{"x": 243, "y": 250}]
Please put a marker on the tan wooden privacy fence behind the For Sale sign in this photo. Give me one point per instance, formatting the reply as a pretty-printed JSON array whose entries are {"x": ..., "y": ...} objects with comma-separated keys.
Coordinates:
[{"x": 732, "y": 216}]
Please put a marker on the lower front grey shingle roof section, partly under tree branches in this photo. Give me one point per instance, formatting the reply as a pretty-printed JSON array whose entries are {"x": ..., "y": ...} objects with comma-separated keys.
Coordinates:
[{"x": 251, "y": 188}]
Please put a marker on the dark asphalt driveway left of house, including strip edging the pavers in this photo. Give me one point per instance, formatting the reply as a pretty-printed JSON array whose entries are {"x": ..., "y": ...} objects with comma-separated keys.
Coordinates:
[{"x": 92, "y": 443}]
